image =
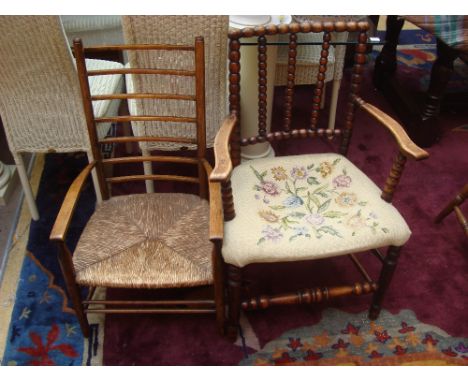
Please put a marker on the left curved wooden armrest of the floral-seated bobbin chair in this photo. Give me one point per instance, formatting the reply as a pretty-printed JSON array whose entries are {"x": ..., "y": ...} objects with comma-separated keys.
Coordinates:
[{"x": 223, "y": 164}]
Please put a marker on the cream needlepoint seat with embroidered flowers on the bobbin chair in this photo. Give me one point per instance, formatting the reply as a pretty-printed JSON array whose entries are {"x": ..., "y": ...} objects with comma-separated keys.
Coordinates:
[{"x": 306, "y": 207}]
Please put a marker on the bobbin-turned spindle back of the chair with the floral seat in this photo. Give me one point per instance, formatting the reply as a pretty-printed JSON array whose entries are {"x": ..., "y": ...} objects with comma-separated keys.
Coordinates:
[{"x": 235, "y": 38}]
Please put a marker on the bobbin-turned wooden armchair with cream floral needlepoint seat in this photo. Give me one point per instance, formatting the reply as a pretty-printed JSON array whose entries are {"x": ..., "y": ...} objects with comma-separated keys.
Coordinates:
[{"x": 303, "y": 207}]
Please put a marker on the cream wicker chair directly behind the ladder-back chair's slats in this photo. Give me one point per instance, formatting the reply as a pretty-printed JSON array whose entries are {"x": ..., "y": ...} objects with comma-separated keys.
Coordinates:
[{"x": 179, "y": 30}]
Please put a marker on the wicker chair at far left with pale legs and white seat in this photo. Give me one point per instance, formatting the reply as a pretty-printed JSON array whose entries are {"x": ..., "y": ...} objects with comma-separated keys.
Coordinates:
[{"x": 40, "y": 101}]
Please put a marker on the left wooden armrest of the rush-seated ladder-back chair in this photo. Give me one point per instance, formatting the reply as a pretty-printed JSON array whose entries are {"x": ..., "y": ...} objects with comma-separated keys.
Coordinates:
[{"x": 64, "y": 216}]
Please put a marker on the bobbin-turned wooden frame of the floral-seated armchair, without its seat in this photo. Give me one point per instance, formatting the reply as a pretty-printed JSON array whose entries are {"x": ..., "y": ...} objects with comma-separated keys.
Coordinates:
[{"x": 227, "y": 153}]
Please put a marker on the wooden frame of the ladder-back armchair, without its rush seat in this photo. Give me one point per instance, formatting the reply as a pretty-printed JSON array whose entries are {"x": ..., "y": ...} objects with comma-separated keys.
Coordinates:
[{"x": 207, "y": 190}]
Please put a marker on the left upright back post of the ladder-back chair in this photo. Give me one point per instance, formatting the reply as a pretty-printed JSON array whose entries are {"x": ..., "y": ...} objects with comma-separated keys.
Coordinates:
[{"x": 89, "y": 114}]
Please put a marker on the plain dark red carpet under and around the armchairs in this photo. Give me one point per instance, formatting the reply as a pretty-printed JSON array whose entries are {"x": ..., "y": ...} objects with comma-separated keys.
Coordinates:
[{"x": 430, "y": 279}]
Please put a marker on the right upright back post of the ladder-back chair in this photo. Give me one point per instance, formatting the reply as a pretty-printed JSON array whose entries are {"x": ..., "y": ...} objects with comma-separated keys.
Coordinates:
[{"x": 200, "y": 113}]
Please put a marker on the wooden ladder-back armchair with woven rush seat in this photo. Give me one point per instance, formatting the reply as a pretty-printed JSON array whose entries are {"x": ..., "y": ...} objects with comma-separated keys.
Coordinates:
[{"x": 150, "y": 240}]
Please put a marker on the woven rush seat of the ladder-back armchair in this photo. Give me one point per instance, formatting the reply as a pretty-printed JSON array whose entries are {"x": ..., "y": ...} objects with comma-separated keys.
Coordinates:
[{"x": 146, "y": 241}]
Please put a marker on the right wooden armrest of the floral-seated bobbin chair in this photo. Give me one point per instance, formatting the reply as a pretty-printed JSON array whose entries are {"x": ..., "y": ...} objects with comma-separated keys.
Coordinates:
[{"x": 407, "y": 147}]
